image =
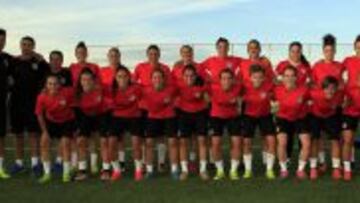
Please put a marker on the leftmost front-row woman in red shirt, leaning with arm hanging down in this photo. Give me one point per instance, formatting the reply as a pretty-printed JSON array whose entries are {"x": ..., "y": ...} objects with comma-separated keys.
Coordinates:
[{"x": 56, "y": 119}]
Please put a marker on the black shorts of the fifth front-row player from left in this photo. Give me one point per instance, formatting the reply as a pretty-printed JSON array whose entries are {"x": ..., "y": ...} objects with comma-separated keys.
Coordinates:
[{"x": 192, "y": 123}]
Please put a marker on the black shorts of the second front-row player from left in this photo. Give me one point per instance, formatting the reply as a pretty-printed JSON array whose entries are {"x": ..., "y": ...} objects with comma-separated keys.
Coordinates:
[{"x": 92, "y": 124}]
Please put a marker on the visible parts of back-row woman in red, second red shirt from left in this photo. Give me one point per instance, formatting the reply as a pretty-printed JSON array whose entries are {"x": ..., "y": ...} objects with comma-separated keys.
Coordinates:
[{"x": 107, "y": 78}]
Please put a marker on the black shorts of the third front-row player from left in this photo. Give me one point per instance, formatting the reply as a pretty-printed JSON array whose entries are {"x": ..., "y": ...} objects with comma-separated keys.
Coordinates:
[{"x": 120, "y": 126}]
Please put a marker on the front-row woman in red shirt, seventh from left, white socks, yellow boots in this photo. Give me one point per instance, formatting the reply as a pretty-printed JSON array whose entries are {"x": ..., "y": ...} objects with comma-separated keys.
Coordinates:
[{"x": 256, "y": 110}]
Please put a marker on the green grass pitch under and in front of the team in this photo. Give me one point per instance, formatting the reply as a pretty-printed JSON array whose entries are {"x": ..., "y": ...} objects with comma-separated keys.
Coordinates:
[{"x": 24, "y": 188}]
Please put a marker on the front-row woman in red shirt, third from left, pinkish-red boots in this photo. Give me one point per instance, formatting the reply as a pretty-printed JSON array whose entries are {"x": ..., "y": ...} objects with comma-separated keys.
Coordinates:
[{"x": 126, "y": 117}]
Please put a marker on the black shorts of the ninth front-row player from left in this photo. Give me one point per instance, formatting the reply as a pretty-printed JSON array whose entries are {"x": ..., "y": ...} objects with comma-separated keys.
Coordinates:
[{"x": 331, "y": 126}]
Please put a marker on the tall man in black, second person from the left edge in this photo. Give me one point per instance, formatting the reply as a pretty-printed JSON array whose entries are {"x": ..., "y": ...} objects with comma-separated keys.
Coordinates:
[{"x": 29, "y": 72}]
